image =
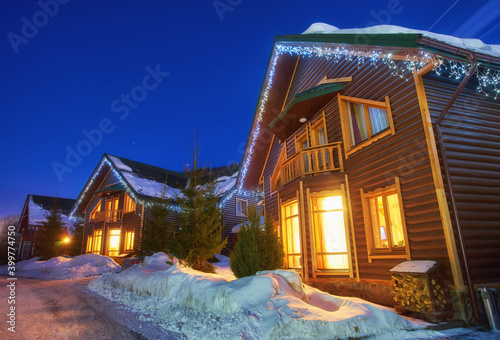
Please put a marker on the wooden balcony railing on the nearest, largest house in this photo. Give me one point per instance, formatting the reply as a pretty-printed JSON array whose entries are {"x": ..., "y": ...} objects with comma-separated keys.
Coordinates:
[{"x": 314, "y": 160}]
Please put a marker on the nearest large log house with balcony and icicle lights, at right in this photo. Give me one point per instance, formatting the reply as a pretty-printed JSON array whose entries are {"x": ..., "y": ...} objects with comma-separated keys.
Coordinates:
[{"x": 347, "y": 143}]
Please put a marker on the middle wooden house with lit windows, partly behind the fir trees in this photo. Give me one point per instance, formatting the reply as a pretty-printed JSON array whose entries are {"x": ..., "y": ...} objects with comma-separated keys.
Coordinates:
[{"x": 115, "y": 202}]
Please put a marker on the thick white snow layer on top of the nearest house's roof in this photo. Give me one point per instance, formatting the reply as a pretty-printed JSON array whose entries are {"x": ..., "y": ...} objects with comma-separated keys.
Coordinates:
[{"x": 475, "y": 45}]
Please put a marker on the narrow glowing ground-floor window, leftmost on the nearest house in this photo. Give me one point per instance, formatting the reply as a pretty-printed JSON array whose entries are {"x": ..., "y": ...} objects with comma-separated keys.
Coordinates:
[{"x": 291, "y": 229}]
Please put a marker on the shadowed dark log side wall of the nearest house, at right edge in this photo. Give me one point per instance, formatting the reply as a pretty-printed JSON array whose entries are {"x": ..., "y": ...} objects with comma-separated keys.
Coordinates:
[{"x": 471, "y": 136}]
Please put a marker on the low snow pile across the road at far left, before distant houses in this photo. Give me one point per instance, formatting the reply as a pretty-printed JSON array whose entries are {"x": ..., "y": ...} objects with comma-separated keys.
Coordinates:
[{"x": 62, "y": 268}]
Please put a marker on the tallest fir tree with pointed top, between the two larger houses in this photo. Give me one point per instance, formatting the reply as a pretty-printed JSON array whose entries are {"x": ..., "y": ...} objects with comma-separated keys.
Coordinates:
[{"x": 199, "y": 234}]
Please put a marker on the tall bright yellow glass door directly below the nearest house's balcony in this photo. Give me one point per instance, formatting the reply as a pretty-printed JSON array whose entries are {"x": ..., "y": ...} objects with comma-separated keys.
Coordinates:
[{"x": 330, "y": 233}]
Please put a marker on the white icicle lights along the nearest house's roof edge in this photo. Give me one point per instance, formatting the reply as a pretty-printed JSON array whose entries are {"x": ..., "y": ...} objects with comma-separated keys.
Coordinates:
[{"x": 488, "y": 79}]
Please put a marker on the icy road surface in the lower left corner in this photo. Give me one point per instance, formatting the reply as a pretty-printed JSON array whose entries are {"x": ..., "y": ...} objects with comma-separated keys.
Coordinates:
[{"x": 66, "y": 309}]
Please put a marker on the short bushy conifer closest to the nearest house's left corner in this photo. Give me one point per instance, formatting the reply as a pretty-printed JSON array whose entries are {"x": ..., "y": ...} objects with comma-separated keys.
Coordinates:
[{"x": 256, "y": 249}]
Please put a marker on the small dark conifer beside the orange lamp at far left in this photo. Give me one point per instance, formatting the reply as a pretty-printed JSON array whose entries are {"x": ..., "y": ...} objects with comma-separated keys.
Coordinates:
[{"x": 51, "y": 234}]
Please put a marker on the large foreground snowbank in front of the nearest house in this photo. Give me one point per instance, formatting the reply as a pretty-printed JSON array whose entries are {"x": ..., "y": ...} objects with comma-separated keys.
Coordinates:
[{"x": 271, "y": 304}]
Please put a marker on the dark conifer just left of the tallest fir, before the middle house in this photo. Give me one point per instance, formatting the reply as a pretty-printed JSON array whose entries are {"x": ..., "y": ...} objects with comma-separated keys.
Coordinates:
[{"x": 157, "y": 231}]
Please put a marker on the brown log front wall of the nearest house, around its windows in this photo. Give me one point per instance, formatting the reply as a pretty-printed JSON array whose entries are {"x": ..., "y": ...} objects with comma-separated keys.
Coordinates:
[{"x": 403, "y": 155}]
